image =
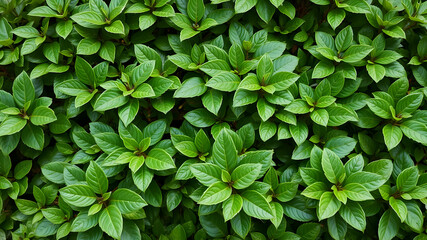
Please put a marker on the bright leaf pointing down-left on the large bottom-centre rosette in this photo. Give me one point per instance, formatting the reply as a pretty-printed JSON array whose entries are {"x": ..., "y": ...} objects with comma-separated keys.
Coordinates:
[{"x": 216, "y": 193}]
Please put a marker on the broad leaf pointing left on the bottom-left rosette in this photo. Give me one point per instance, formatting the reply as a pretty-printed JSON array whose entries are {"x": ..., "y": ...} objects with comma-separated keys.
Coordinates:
[{"x": 78, "y": 195}]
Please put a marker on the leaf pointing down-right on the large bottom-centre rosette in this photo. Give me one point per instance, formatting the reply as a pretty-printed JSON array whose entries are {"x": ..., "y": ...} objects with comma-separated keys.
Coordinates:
[{"x": 255, "y": 205}]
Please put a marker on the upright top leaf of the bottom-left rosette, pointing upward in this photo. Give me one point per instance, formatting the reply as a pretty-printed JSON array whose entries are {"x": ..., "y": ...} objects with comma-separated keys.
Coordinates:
[{"x": 96, "y": 178}]
